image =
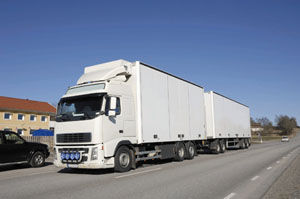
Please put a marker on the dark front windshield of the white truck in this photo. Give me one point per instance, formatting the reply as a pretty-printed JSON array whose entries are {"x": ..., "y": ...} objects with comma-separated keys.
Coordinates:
[{"x": 83, "y": 108}]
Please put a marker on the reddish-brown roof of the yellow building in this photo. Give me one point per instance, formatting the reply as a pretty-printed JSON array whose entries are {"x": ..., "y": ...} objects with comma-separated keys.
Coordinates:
[{"x": 26, "y": 105}]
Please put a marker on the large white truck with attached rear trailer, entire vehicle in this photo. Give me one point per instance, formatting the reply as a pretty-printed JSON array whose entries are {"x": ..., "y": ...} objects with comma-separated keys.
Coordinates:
[{"x": 123, "y": 112}]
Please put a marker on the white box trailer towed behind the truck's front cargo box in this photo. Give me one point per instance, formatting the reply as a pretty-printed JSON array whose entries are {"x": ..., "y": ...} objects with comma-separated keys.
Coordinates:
[{"x": 227, "y": 121}]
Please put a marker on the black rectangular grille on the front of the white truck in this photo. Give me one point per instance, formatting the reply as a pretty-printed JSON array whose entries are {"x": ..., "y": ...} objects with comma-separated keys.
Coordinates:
[{"x": 73, "y": 137}]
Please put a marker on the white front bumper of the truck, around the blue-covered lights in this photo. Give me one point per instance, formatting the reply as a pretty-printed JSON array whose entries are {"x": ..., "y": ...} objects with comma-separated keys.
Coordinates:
[{"x": 86, "y": 161}]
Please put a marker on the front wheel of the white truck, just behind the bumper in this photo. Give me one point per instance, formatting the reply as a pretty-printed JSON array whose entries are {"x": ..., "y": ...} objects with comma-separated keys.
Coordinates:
[{"x": 123, "y": 159}]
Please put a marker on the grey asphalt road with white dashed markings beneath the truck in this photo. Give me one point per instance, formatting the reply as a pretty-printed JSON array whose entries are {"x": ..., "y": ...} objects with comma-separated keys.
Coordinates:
[{"x": 247, "y": 173}]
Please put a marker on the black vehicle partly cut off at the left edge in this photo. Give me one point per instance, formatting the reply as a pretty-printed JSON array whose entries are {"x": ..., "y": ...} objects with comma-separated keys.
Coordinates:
[{"x": 15, "y": 150}]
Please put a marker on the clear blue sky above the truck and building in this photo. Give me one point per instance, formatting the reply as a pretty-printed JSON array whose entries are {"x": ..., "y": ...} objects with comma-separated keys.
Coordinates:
[{"x": 246, "y": 50}]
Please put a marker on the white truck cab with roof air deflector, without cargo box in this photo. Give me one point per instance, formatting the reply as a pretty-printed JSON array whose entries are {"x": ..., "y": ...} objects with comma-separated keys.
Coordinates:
[{"x": 94, "y": 116}]
